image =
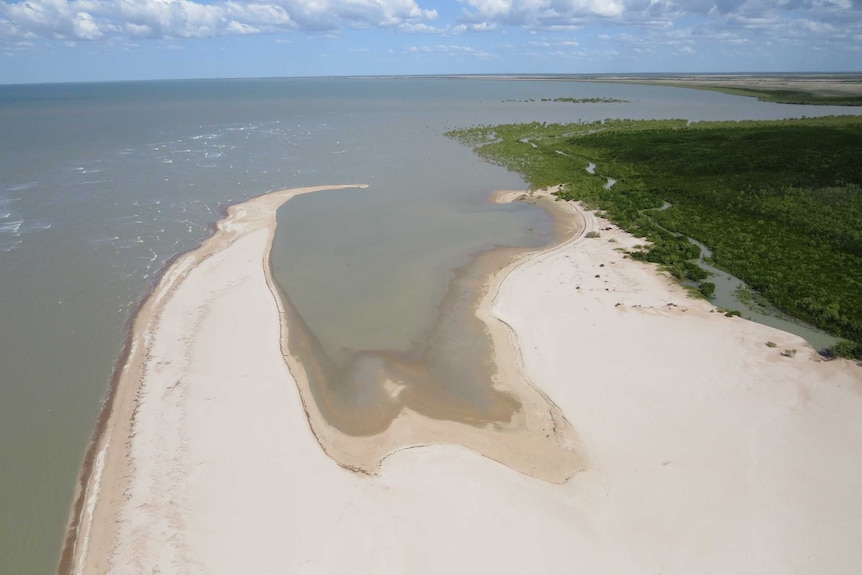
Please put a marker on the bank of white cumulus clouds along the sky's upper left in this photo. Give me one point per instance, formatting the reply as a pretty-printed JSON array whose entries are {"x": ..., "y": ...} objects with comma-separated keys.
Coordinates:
[{"x": 105, "y": 19}]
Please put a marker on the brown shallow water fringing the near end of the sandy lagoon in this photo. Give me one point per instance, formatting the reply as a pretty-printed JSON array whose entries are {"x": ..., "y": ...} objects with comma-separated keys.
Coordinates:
[{"x": 445, "y": 373}]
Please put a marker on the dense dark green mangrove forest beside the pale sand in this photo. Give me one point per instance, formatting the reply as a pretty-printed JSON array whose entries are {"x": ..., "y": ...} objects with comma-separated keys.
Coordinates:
[{"x": 778, "y": 203}]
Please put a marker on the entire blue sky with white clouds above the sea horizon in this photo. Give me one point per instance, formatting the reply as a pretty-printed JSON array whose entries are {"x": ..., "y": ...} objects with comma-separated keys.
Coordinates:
[{"x": 96, "y": 40}]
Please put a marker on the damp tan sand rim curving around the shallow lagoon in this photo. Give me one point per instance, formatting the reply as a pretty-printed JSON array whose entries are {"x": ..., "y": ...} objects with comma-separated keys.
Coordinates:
[{"x": 538, "y": 441}]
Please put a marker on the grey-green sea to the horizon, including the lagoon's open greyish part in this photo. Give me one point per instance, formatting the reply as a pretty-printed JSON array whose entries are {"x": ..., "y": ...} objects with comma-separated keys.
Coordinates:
[{"x": 101, "y": 184}]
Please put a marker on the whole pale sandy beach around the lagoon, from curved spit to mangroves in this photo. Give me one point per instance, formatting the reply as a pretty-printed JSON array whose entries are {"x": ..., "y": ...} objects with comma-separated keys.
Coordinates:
[{"x": 656, "y": 435}]
